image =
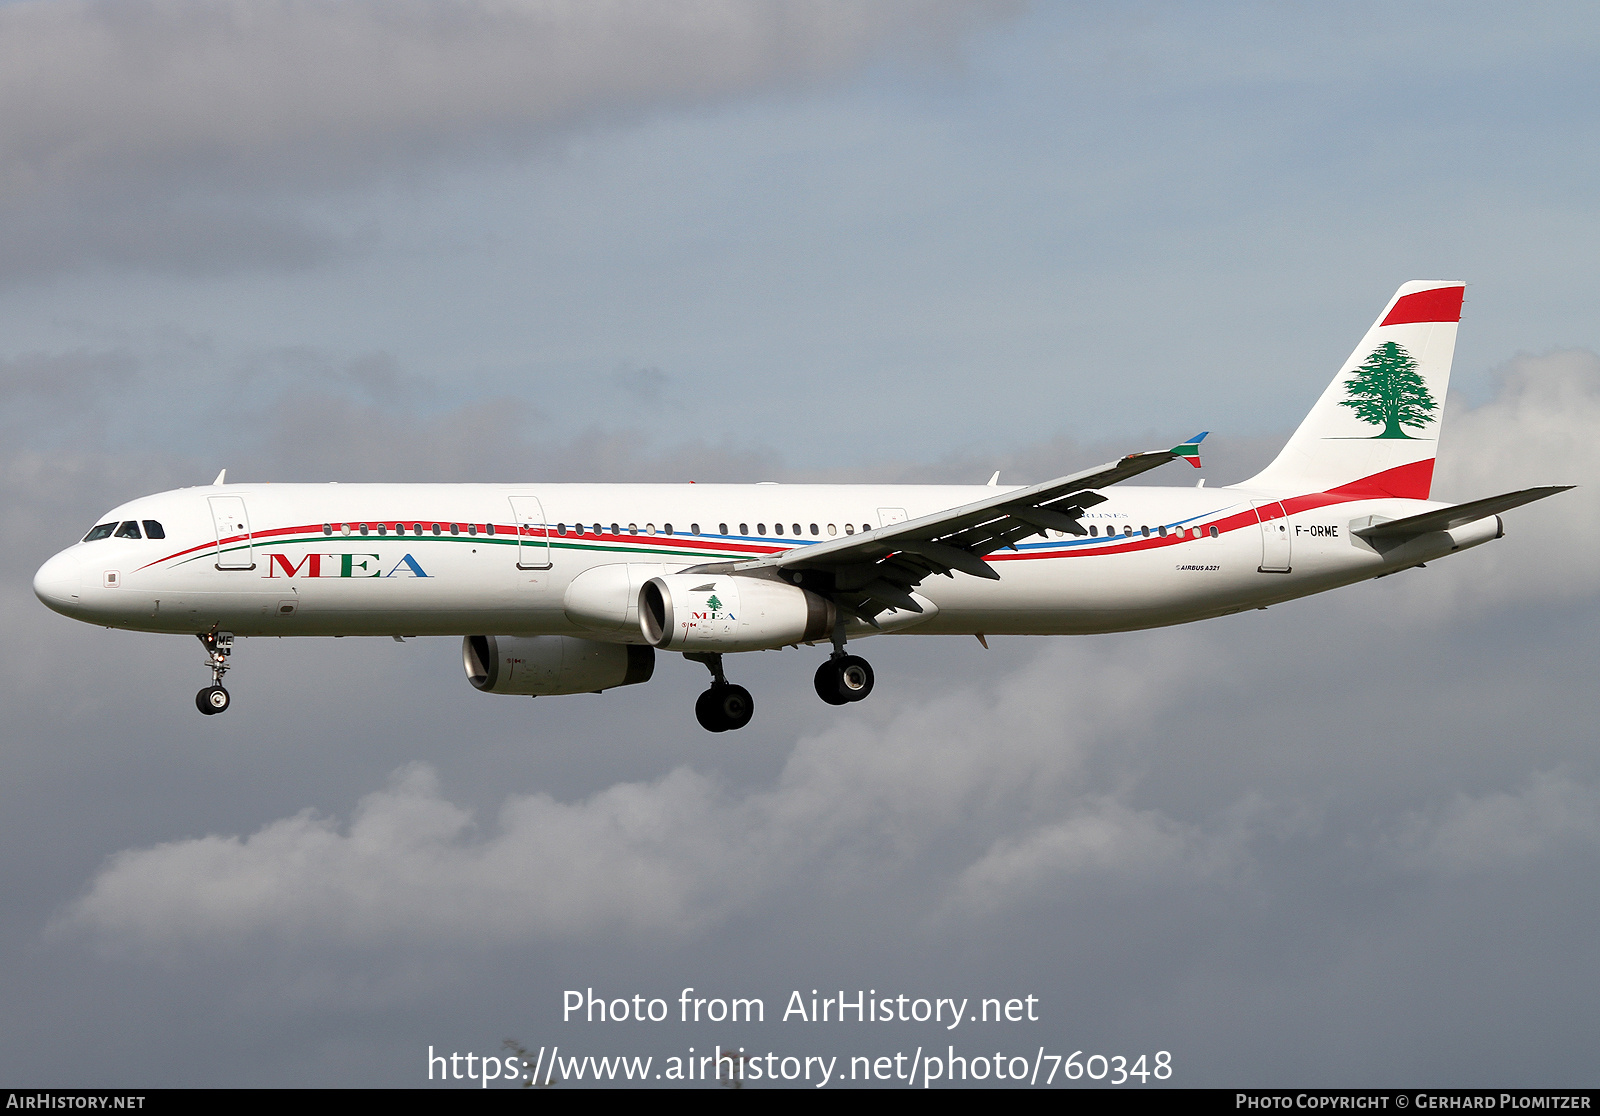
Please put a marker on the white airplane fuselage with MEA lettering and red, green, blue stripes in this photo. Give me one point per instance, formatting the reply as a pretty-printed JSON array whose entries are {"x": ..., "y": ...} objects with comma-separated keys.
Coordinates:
[{"x": 287, "y": 560}]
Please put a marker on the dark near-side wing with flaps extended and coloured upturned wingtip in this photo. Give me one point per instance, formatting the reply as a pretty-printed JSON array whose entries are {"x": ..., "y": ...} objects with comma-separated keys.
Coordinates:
[{"x": 876, "y": 570}]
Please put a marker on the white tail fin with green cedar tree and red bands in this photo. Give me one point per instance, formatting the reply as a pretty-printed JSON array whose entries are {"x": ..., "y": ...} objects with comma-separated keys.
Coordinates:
[{"x": 1375, "y": 431}]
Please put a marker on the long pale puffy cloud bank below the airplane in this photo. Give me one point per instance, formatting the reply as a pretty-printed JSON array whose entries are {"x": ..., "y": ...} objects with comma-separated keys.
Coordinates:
[{"x": 854, "y": 808}]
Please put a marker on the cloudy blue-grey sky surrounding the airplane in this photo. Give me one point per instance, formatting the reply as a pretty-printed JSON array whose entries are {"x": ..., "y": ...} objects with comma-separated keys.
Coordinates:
[{"x": 1343, "y": 842}]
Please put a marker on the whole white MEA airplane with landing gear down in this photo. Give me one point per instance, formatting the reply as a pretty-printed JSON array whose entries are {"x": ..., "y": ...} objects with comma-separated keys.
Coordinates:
[{"x": 566, "y": 589}]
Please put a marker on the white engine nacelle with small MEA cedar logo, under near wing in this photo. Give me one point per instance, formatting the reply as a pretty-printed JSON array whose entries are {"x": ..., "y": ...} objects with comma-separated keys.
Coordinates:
[{"x": 722, "y": 613}]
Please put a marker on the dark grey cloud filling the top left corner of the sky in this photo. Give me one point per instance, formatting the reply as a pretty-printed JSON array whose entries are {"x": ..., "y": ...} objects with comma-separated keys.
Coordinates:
[{"x": 164, "y": 132}]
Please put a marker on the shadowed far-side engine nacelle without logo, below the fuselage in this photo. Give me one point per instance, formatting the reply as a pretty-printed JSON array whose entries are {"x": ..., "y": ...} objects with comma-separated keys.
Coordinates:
[{"x": 553, "y": 664}]
